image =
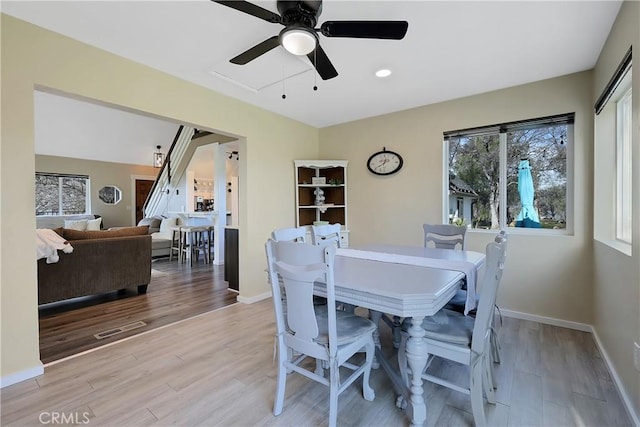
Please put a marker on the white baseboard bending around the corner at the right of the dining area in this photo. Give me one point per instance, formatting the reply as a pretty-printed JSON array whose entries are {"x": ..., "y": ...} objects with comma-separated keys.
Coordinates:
[{"x": 628, "y": 404}]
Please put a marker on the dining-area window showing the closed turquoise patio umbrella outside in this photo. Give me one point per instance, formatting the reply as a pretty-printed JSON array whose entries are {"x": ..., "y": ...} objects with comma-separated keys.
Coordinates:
[{"x": 509, "y": 175}]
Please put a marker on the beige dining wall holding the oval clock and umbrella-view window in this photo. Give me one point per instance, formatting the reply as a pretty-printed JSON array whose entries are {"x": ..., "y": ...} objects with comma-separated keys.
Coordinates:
[{"x": 545, "y": 275}]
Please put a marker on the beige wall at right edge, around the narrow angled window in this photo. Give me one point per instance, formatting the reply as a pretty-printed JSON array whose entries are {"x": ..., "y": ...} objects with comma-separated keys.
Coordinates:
[{"x": 617, "y": 276}]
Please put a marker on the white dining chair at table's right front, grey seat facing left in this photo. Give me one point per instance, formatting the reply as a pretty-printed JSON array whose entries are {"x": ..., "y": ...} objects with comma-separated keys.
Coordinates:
[{"x": 453, "y": 336}]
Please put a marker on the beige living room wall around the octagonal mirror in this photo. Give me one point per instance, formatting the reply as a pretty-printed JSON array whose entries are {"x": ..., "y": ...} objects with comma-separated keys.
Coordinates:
[{"x": 101, "y": 174}]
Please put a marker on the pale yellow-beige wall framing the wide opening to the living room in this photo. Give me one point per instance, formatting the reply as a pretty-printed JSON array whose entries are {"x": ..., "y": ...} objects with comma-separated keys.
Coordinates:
[{"x": 33, "y": 58}]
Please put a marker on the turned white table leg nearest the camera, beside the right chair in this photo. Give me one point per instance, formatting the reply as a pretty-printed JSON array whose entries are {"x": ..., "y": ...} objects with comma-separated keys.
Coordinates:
[{"x": 416, "y": 351}]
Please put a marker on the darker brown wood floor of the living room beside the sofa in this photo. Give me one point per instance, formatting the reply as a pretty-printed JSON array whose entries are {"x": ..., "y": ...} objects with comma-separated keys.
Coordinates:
[{"x": 176, "y": 292}]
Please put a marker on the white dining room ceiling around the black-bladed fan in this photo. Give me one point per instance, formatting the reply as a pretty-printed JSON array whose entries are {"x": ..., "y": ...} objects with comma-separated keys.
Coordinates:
[{"x": 452, "y": 49}]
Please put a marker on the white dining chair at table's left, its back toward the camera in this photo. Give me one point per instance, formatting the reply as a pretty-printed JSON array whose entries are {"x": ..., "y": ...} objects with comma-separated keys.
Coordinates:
[{"x": 328, "y": 335}]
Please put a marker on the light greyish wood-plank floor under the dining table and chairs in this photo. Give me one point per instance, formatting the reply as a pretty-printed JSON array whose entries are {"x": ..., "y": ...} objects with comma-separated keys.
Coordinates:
[{"x": 217, "y": 369}]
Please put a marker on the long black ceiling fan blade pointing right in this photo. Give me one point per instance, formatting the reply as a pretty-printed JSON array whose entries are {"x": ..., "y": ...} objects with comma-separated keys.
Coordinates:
[{"x": 393, "y": 30}]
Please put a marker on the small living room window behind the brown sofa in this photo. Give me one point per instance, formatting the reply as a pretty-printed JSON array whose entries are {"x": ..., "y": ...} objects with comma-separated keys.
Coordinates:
[{"x": 58, "y": 194}]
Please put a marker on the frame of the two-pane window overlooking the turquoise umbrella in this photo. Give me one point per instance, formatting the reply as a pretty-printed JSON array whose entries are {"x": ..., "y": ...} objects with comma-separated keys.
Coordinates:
[{"x": 502, "y": 130}]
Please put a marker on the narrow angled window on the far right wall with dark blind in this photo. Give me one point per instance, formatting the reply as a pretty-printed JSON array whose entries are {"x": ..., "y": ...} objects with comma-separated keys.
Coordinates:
[{"x": 612, "y": 161}]
